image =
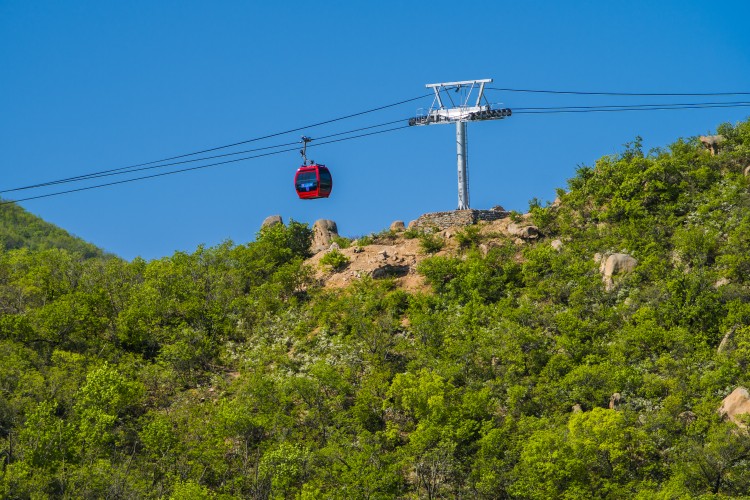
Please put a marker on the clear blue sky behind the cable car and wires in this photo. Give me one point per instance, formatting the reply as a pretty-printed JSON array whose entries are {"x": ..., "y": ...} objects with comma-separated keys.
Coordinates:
[{"x": 94, "y": 85}]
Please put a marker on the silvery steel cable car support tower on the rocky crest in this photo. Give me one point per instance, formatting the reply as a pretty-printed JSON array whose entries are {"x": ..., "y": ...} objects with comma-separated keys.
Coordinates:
[{"x": 460, "y": 112}]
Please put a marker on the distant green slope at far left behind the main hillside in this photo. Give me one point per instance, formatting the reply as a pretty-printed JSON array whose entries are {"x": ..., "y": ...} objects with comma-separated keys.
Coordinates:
[{"x": 20, "y": 229}]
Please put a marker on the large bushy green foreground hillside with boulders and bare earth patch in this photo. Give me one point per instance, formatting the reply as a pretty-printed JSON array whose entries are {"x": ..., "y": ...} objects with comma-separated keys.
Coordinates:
[{"x": 585, "y": 349}]
